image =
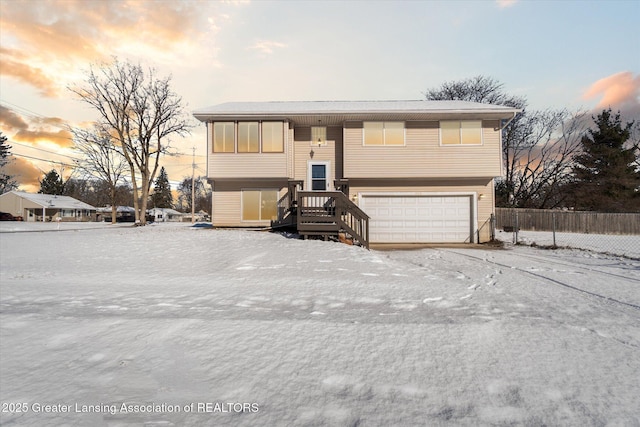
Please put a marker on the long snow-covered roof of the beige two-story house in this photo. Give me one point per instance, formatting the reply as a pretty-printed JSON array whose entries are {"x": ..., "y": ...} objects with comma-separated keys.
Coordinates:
[{"x": 288, "y": 109}]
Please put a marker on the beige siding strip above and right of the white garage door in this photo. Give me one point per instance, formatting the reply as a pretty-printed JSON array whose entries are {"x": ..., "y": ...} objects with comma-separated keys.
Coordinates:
[{"x": 484, "y": 186}]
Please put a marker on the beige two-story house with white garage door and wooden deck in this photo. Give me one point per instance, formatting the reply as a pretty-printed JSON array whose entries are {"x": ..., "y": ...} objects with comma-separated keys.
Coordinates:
[{"x": 377, "y": 171}]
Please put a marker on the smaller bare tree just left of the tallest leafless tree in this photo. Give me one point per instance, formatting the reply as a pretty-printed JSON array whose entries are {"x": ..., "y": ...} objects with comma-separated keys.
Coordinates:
[{"x": 101, "y": 159}]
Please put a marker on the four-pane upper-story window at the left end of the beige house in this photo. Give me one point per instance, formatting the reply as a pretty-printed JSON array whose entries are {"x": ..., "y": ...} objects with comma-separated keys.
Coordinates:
[{"x": 248, "y": 137}]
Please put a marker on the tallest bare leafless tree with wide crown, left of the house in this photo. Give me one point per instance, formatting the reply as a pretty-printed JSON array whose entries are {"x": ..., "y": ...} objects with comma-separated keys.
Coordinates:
[{"x": 141, "y": 112}]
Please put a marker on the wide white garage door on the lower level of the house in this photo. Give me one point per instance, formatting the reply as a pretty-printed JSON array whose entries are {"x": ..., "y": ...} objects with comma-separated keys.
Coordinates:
[{"x": 418, "y": 219}]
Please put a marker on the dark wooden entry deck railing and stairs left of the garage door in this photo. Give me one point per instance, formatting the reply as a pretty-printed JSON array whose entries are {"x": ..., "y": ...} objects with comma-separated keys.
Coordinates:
[{"x": 331, "y": 212}]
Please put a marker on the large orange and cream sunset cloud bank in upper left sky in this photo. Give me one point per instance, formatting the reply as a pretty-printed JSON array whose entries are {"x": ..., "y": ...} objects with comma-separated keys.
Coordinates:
[{"x": 47, "y": 44}]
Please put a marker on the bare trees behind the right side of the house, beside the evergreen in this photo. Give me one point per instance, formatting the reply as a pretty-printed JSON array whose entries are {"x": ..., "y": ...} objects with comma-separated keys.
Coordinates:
[{"x": 537, "y": 146}]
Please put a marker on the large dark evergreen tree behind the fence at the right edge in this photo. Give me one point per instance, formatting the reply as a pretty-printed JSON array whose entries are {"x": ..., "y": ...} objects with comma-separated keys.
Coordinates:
[{"x": 605, "y": 176}]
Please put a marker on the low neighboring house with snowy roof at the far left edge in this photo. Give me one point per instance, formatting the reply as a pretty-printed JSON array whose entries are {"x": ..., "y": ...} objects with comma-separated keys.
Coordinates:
[{"x": 46, "y": 207}]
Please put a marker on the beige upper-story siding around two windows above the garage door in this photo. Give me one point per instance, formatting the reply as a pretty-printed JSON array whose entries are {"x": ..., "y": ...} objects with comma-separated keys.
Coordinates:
[{"x": 422, "y": 155}]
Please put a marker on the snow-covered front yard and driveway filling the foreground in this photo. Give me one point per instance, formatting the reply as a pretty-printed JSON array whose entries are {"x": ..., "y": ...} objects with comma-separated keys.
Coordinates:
[{"x": 166, "y": 325}]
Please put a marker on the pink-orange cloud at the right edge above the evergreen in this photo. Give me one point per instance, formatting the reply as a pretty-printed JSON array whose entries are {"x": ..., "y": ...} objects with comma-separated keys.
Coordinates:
[{"x": 621, "y": 90}]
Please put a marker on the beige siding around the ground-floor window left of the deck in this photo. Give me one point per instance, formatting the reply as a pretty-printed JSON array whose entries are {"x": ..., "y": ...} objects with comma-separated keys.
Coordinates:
[{"x": 227, "y": 201}]
